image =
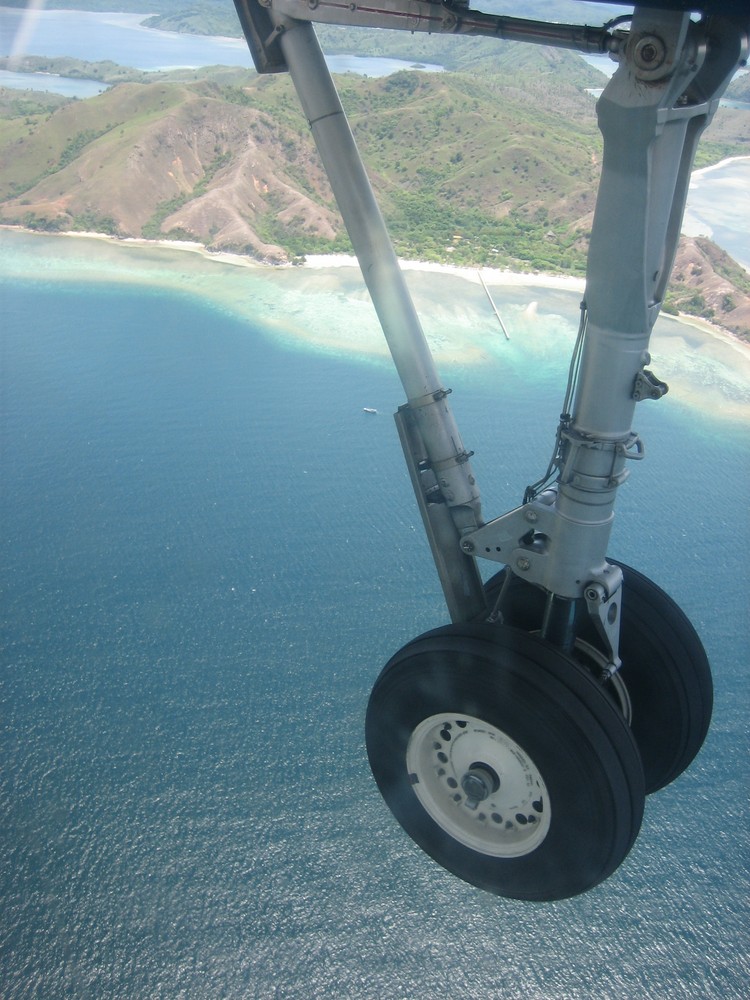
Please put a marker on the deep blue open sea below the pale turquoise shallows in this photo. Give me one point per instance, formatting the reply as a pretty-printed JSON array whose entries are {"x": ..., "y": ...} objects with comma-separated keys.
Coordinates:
[{"x": 209, "y": 551}]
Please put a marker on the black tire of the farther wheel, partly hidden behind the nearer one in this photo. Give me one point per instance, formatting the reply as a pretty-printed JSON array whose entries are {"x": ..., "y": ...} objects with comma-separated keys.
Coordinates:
[{"x": 664, "y": 668}]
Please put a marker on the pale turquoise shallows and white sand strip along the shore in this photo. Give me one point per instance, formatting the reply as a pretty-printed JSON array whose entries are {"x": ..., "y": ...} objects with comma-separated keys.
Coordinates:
[{"x": 323, "y": 306}]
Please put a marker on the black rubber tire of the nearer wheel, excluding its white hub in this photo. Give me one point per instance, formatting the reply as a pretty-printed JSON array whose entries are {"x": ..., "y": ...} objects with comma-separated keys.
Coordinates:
[{"x": 551, "y": 708}]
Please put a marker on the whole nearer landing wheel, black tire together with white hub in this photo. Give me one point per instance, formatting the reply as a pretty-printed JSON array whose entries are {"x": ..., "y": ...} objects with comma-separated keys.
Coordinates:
[{"x": 505, "y": 761}]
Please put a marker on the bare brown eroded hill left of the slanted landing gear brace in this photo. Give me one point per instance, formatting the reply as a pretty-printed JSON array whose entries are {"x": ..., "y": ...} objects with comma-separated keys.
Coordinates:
[{"x": 168, "y": 157}]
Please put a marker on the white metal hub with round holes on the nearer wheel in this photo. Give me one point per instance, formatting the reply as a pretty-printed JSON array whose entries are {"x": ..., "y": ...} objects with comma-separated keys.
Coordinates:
[{"x": 478, "y": 785}]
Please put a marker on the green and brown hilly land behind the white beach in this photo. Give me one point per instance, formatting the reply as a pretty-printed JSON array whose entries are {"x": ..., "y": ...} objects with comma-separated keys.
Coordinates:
[{"x": 469, "y": 169}]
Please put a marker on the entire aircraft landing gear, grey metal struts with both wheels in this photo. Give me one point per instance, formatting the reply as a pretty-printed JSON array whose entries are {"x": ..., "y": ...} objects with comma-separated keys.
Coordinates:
[{"x": 517, "y": 744}]
